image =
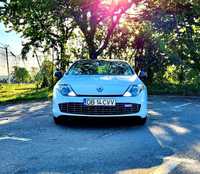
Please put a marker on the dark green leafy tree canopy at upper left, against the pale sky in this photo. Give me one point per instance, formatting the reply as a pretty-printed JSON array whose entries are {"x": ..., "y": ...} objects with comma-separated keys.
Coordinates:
[{"x": 38, "y": 23}]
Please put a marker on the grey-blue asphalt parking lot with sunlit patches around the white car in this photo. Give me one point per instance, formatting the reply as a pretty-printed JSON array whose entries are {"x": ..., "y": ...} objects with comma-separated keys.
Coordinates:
[{"x": 30, "y": 142}]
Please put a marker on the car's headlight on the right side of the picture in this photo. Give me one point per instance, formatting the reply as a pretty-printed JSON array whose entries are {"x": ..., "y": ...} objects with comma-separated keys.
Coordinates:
[{"x": 134, "y": 90}]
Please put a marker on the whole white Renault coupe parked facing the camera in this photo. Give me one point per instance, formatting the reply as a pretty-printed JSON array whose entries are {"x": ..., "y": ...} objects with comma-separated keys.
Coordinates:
[{"x": 100, "y": 88}]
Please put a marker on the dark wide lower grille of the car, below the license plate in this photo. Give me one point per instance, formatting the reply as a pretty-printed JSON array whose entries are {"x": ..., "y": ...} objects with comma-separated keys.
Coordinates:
[{"x": 80, "y": 108}]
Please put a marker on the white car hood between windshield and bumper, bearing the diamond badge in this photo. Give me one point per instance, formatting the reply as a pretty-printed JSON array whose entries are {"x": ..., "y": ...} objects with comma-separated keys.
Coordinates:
[{"x": 99, "y": 84}]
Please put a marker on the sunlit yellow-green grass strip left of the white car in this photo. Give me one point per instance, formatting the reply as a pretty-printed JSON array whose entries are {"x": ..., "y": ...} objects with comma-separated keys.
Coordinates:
[{"x": 22, "y": 92}]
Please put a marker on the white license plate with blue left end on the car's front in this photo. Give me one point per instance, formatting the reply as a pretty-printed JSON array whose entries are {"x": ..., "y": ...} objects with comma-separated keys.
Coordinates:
[{"x": 100, "y": 102}]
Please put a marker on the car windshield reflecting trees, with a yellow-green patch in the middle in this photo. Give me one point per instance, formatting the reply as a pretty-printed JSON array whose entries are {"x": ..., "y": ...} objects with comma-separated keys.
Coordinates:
[{"x": 100, "y": 67}]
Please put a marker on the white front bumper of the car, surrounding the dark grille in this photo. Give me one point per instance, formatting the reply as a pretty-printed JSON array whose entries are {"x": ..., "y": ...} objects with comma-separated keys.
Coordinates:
[{"x": 141, "y": 100}]
